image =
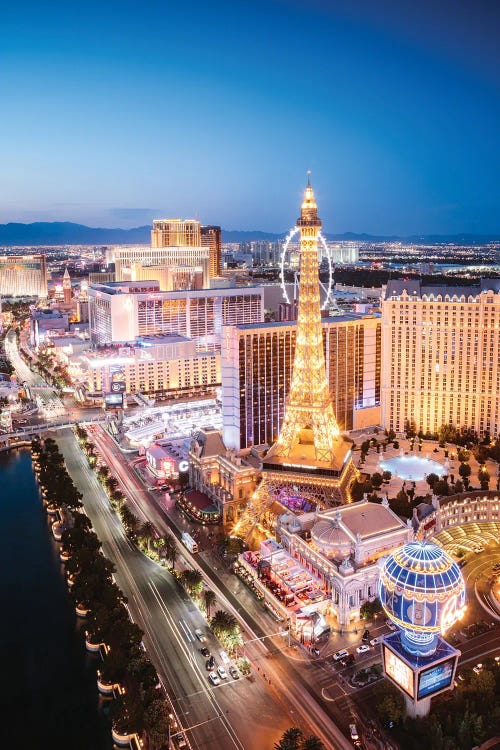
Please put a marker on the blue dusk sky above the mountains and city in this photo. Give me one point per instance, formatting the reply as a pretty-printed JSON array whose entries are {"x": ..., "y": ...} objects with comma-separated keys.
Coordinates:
[{"x": 114, "y": 113}]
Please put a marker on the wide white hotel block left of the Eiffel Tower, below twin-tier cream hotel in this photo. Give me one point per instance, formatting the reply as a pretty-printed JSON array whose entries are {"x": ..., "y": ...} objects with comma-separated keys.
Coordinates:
[{"x": 122, "y": 311}]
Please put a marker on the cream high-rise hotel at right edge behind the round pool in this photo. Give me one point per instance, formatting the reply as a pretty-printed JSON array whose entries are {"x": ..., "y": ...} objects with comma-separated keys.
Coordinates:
[{"x": 441, "y": 356}]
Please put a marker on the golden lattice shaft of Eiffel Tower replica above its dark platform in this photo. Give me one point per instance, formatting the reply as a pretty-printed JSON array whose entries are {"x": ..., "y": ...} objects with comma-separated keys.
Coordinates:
[{"x": 309, "y": 416}]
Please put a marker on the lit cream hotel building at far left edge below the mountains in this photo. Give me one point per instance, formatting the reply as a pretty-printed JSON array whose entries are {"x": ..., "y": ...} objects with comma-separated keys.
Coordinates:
[{"x": 23, "y": 276}]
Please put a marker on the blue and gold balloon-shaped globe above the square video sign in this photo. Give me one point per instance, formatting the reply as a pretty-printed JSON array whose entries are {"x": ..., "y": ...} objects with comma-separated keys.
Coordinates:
[{"x": 422, "y": 590}]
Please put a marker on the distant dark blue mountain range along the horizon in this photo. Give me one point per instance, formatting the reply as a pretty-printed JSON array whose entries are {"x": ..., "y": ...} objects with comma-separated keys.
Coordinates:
[{"x": 67, "y": 233}]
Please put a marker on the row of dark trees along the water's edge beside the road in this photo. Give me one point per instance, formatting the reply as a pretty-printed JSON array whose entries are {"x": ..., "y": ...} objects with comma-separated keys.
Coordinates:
[{"x": 141, "y": 706}]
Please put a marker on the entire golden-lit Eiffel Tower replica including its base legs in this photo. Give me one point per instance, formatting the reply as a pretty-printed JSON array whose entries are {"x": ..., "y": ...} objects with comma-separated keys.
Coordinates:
[{"x": 310, "y": 458}]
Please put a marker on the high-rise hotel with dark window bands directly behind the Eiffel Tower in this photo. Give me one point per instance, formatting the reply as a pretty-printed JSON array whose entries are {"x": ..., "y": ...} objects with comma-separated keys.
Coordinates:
[{"x": 256, "y": 372}]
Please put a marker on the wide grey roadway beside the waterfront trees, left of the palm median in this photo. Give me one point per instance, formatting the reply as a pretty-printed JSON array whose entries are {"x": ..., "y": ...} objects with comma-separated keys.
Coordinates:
[{"x": 241, "y": 715}]
